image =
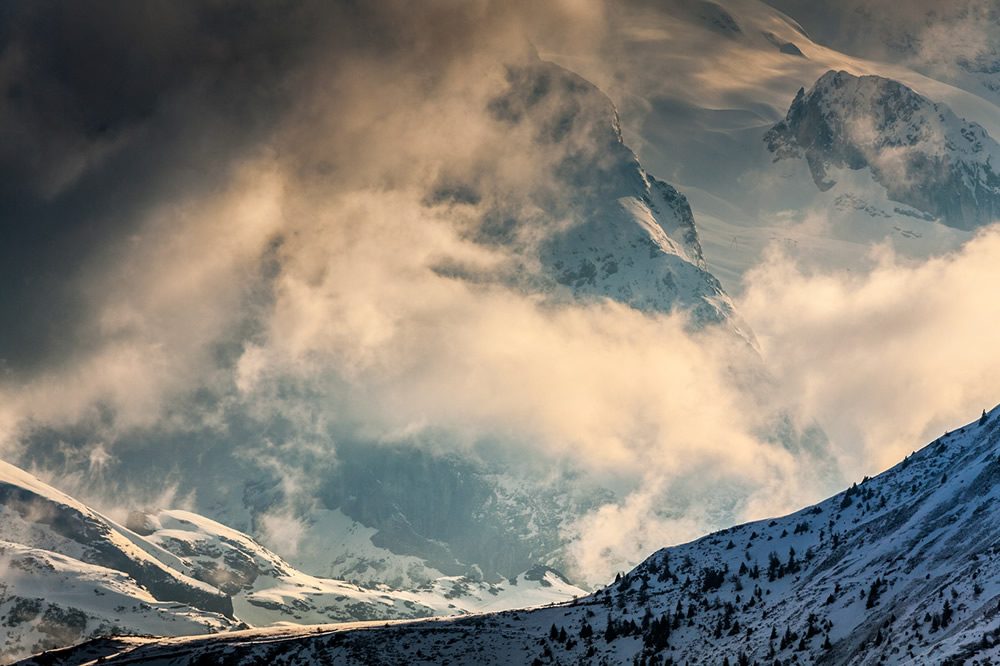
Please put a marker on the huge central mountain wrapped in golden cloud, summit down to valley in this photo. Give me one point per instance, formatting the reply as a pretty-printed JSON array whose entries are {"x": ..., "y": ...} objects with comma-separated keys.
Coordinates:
[{"x": 542, "y": 231}]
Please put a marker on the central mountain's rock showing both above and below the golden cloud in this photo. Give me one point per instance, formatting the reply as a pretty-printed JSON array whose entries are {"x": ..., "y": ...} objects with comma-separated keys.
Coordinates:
[{"x": 628, "y": 237}]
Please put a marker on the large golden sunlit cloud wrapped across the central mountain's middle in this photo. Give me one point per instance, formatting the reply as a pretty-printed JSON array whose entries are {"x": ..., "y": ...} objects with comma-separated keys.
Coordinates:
[{"x": 358, "y": 325}]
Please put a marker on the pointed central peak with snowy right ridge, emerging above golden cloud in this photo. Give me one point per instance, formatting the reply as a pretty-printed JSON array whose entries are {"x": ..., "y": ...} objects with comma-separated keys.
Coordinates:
[{"x": 630, "y": 237}]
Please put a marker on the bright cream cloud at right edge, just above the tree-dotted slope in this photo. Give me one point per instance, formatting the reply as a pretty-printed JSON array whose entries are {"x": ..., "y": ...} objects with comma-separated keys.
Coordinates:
[{"x": 886, "y": 360}]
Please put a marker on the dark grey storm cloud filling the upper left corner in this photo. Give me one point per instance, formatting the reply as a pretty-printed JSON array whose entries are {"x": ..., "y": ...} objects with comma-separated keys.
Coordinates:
[{"x": 107, "y": 108}]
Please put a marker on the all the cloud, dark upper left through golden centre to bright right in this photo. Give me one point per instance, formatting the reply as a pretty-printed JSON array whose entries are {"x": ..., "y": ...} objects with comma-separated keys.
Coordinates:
[{"x": 235, "y": 227}]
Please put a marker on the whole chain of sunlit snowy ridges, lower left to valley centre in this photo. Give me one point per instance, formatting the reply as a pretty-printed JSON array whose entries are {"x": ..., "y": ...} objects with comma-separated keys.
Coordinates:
[{"x": 70, "y": 573}]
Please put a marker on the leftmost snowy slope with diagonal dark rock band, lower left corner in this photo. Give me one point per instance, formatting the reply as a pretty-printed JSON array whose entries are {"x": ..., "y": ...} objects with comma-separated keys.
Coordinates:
[{"x": 68, "y": 573}]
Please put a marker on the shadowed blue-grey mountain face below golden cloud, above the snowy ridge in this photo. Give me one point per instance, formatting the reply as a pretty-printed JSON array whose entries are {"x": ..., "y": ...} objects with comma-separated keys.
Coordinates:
[{"x": 460, "y": 517}]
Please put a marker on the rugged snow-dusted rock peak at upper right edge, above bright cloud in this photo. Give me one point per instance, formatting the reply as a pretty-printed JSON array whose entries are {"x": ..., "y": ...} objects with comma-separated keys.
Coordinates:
[{"x": 919, "y": 151}]
